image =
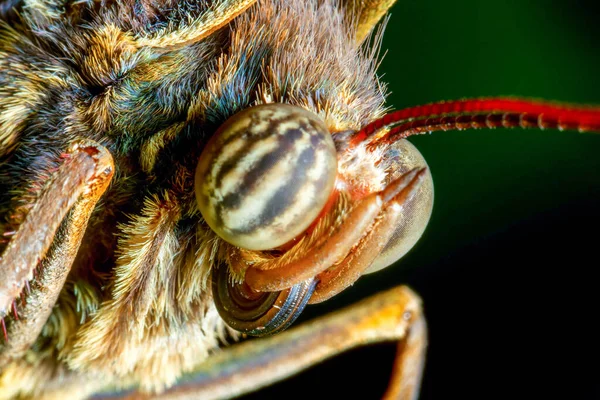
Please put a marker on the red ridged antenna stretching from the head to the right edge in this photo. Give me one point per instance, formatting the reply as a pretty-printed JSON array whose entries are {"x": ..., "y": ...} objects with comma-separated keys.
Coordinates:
[{"x": 478, "y": 114}]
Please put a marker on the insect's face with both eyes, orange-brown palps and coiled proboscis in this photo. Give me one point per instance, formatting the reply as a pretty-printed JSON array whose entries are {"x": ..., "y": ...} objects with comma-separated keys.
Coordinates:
[{"x": 303, "y": 210}]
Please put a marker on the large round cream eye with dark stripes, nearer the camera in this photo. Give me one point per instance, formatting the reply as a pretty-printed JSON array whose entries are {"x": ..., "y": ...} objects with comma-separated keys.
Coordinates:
[{"x": 265, "y": 175}]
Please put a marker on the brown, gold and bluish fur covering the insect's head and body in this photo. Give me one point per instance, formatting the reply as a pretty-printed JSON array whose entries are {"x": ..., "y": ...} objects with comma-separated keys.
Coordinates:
[{"x": 151, "y": 82}]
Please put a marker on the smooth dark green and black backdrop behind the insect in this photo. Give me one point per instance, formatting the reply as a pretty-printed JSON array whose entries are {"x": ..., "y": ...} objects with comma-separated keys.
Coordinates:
[{"x": 507, "y": 265}]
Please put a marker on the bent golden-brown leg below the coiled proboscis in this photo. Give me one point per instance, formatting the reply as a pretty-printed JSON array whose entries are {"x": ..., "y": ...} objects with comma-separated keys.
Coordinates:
[{"x": 392, "y": 315}]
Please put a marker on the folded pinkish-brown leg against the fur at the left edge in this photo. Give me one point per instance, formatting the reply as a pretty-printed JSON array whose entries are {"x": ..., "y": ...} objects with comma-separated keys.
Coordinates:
[{"x": 49, "y": 238}]
